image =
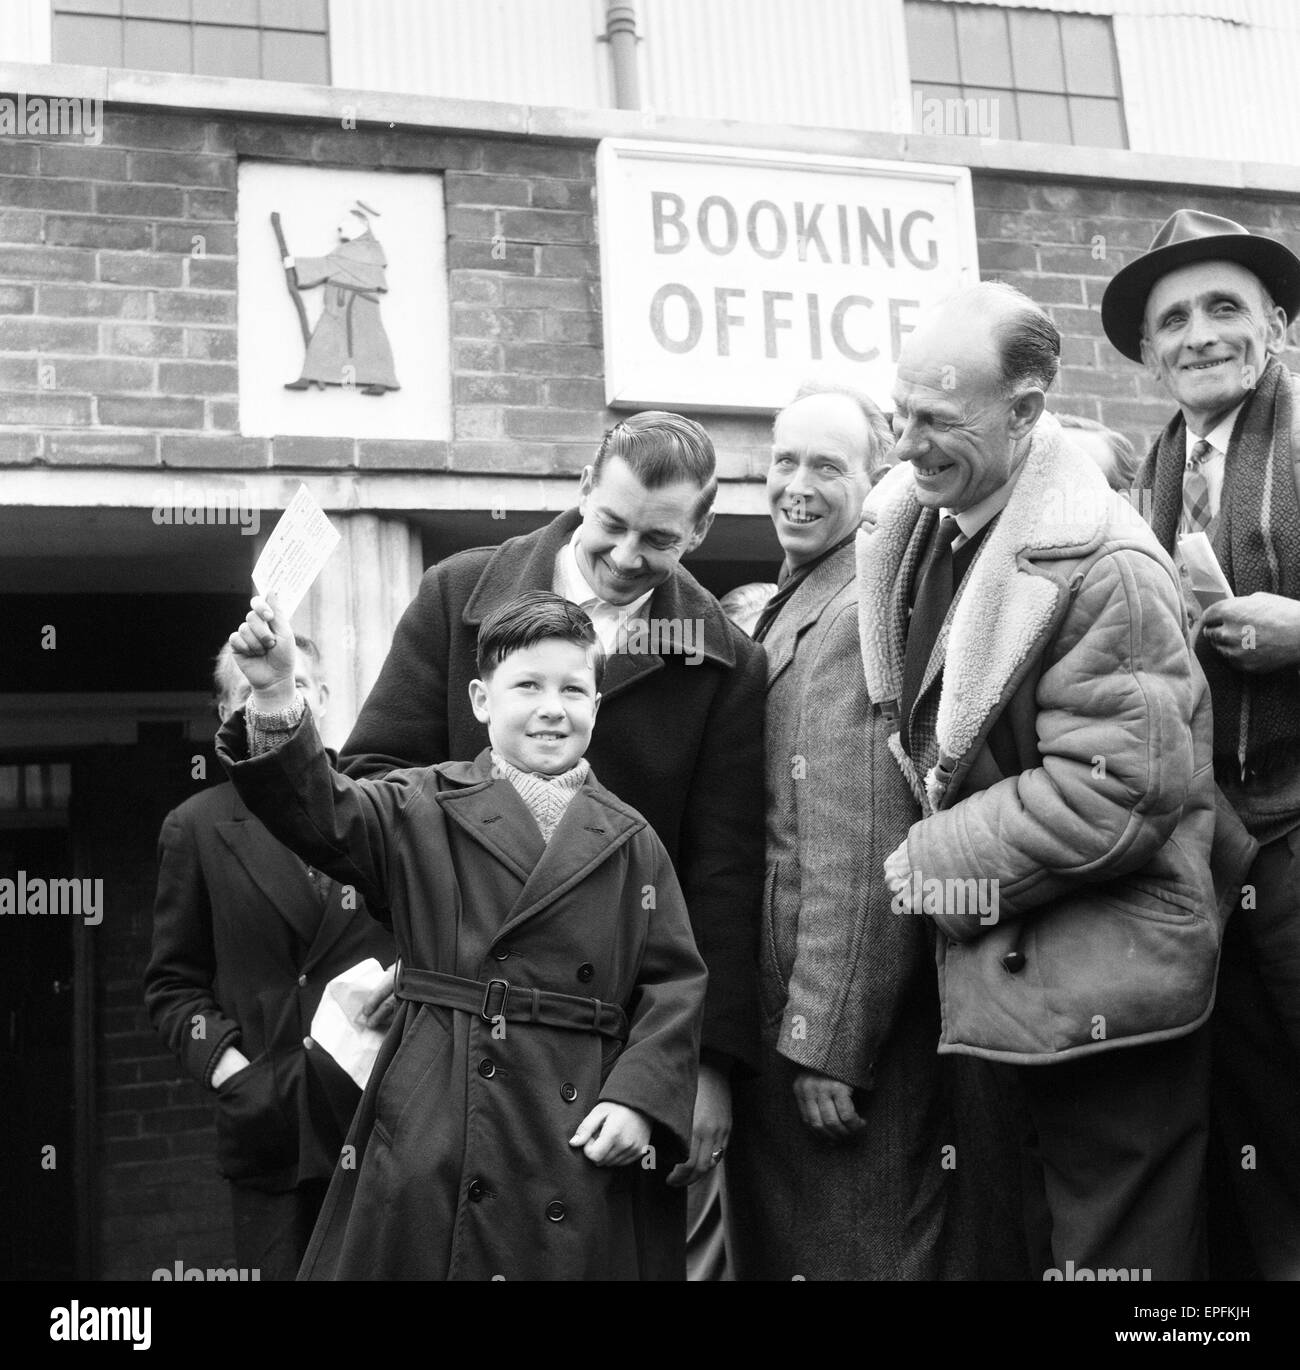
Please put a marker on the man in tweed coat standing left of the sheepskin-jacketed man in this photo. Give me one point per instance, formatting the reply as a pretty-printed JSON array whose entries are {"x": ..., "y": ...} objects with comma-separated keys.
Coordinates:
[{"x": 834, "y": 1172}]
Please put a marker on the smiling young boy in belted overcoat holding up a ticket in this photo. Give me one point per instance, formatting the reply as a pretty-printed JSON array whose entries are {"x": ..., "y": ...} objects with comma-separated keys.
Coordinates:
[{"x": 538, "y": 1082}]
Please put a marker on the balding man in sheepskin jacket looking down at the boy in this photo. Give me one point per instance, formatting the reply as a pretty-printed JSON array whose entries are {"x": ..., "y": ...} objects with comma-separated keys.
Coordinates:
[{"x": 1024, "y": 630}]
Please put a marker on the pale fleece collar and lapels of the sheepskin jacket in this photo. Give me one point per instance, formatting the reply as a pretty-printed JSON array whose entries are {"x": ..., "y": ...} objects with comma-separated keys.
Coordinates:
[{"x": 1060, "y": 510}]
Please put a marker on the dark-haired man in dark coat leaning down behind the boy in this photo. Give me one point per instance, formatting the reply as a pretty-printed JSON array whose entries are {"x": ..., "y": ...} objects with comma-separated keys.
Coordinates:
[{"x": 682, "y": 727}]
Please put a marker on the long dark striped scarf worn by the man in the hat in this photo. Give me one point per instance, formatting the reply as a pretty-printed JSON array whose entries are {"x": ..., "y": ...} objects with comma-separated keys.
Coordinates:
[{"x": 1257, "y": 719}]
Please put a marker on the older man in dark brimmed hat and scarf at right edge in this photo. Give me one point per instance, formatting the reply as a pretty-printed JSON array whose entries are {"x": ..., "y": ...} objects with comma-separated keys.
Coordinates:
[{"x": 1206, "y": 312}]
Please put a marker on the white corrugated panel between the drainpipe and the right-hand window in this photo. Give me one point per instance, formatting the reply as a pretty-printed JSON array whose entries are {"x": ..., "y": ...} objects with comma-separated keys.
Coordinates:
[{"x": 838, "y": 64}]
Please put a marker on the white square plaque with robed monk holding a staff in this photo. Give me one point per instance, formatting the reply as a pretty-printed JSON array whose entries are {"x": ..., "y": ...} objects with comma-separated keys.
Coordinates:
[{"x": 343, "y": 312}]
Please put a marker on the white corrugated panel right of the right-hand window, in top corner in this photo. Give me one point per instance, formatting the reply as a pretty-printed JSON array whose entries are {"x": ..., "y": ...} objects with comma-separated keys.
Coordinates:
[{"x": 1210, "y": 88}]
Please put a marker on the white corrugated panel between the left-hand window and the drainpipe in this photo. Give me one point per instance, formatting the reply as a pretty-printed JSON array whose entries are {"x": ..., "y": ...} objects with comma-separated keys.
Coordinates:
[{"x": 523, "y": 51}]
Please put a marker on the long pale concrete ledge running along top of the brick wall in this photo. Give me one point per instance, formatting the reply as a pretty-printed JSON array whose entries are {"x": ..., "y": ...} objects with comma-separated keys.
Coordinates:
[{"x": 375, "y": 109}]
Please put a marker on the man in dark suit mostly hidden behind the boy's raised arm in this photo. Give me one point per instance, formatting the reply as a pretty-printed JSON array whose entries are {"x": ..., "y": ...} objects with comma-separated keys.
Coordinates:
[{"x": 246, "y": 939}]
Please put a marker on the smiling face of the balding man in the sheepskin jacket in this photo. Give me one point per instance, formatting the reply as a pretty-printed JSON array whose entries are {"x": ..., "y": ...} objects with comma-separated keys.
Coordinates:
[{"x": 953, "y": 416}]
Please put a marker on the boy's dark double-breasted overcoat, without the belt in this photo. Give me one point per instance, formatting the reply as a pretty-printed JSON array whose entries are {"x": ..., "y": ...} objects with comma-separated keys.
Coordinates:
[{"x": 464, "y": 1168}]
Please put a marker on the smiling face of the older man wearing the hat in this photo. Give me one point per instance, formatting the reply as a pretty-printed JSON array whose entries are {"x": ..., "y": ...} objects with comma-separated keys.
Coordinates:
[{"x": 1208, "y": 335}]
